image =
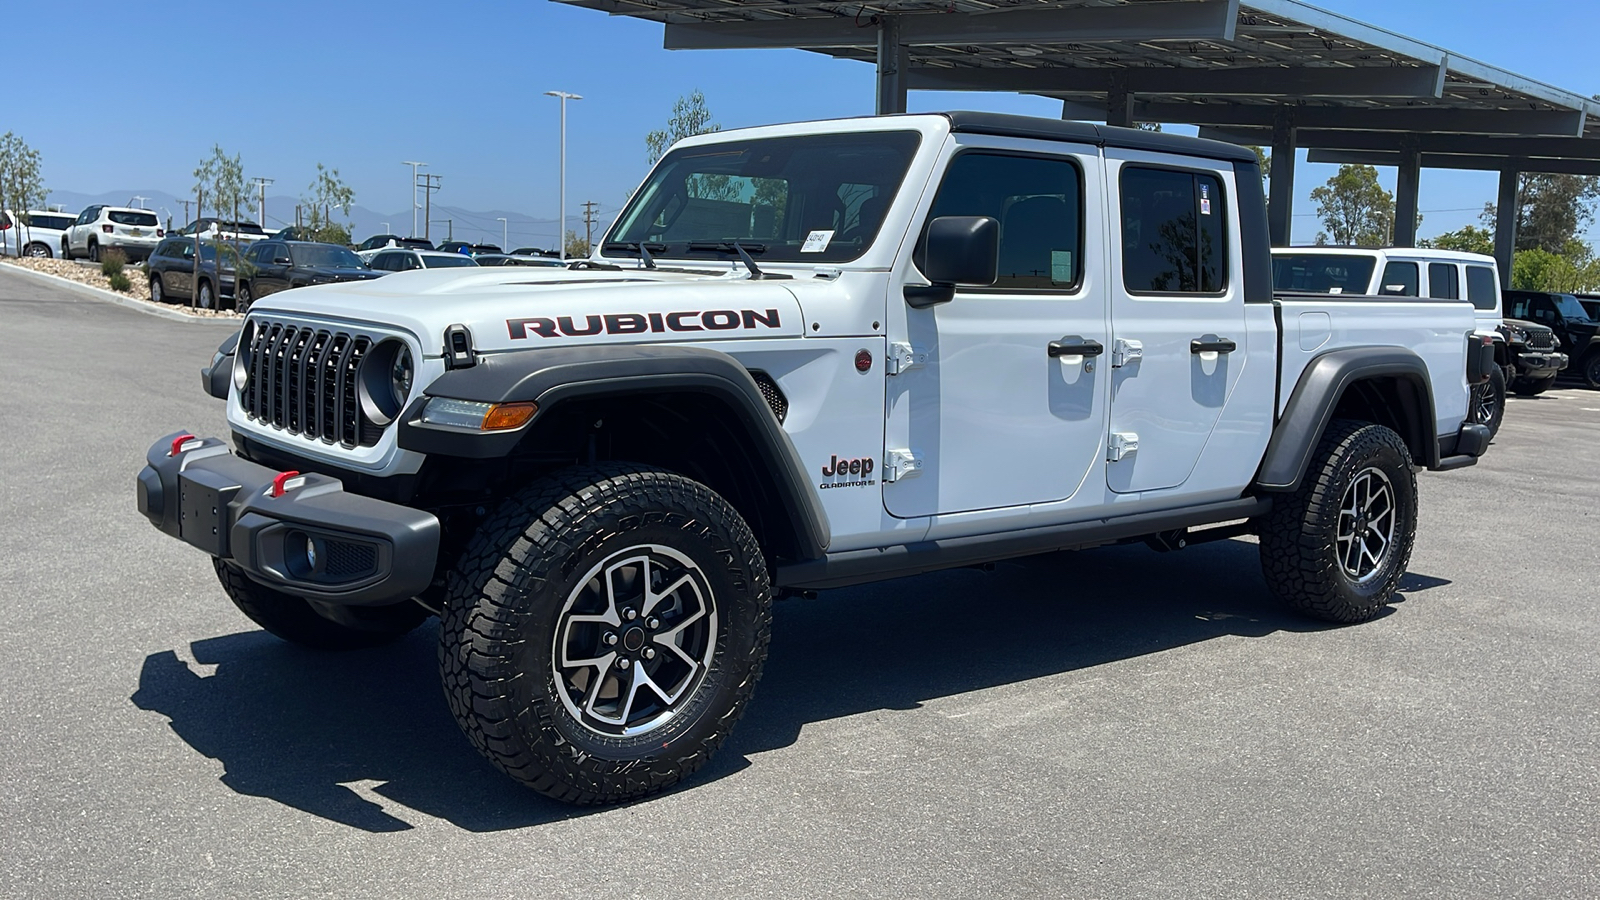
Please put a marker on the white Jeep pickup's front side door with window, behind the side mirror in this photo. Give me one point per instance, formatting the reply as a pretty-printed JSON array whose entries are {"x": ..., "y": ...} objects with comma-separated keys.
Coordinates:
[{"x": 1004, "y": 403}]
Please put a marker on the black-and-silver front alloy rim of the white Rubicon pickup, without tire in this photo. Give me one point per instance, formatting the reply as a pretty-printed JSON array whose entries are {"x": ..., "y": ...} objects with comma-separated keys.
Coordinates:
[{"x": 634, "y": 641}]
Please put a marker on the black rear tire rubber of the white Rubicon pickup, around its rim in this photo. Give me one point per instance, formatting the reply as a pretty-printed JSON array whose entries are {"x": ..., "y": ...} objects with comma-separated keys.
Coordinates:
[{"x": 1300, "y": 547}]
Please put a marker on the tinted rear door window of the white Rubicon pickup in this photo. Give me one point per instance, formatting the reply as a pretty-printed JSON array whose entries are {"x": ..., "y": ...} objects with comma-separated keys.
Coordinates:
[{"x": 1174, "y": 235}]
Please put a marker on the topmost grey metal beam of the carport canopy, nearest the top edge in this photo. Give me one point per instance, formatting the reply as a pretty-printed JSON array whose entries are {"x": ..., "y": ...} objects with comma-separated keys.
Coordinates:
[{"x": 1180, "y": 20}]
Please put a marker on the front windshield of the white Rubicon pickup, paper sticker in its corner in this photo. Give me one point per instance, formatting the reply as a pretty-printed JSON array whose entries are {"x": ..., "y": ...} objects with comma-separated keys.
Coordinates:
[{"x": 810, "y": 199}]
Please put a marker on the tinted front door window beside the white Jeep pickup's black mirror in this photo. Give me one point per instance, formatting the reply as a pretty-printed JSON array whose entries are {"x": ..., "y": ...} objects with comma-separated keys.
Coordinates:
[{"x": 1039, "y": 204}]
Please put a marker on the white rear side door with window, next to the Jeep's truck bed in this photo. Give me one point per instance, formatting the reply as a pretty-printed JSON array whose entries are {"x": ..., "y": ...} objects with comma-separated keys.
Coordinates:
[{"x": 1178, "y": 316}]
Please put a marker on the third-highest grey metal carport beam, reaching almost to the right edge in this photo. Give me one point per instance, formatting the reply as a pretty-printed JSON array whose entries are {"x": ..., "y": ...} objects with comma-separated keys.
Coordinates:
[{"x": 1350, "y": 118}]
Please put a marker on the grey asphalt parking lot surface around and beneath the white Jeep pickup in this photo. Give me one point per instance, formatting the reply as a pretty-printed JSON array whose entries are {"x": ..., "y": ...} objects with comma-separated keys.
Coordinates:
[{"x": 1114, "y": 723}]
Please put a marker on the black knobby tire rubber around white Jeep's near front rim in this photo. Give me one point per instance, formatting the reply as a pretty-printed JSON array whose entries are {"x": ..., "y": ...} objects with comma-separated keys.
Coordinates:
[{"x": 516, "y": 582}]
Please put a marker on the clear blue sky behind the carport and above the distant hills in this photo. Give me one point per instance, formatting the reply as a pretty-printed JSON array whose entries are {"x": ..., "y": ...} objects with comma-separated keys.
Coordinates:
[{"x": 462, "y": 86}]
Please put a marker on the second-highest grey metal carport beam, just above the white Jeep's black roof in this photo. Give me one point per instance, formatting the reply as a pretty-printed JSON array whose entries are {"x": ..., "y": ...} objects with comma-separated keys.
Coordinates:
[{"x": 1260, "y": 81}]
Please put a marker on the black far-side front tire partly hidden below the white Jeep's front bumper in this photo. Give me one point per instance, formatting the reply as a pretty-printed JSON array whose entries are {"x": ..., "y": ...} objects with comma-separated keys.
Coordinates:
[{"x": 321, "y": 627}]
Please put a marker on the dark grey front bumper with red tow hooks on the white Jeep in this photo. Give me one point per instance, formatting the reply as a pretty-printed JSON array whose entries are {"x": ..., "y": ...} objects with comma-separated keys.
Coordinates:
[{"x": 311, "y": 540}]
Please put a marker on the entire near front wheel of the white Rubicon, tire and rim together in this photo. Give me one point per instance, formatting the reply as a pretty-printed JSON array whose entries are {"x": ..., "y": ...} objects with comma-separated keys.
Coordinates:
[{"x": 604, "y": 632}]
